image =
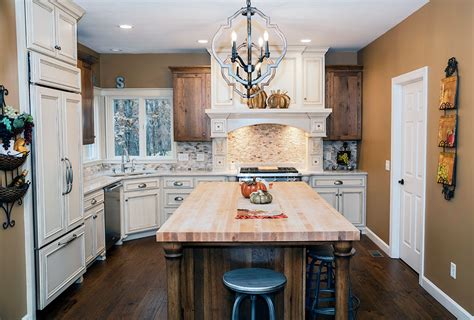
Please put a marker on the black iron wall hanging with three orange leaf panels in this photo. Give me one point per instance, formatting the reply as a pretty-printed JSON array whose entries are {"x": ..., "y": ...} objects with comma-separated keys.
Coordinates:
[{"x": 447, "y": 131}]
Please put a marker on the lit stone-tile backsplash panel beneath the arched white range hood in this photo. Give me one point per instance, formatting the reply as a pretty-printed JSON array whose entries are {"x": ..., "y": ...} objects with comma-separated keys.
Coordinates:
[{"x": 267, "y": 144}]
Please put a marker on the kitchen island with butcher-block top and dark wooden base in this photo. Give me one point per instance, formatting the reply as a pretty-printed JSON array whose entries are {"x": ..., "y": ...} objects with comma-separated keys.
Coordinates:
[{"x": 202, "y": 240}]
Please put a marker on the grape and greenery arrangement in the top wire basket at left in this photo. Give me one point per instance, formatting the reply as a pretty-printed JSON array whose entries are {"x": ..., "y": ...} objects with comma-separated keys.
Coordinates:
[{"x": 13, "y": 124}]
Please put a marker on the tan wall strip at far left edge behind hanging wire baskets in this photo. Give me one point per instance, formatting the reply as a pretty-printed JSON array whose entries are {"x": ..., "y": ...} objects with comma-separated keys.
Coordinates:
[{"x": 12, "y": 240}]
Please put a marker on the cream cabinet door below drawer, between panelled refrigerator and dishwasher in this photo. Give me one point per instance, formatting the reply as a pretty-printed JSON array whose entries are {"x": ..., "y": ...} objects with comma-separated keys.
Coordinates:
[{"x": 94, "y": 229}]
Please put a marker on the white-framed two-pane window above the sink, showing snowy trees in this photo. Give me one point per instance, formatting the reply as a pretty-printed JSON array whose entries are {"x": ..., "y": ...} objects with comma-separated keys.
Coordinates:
[{"x": 140, "y": 124}]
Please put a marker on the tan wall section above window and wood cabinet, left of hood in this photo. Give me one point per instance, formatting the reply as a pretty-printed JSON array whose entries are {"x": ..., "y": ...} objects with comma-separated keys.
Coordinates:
[{"x": 146, "y": 70}]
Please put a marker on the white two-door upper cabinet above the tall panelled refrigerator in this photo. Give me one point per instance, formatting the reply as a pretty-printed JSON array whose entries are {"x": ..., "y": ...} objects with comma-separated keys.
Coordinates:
[{"x": 52, "y": 28}]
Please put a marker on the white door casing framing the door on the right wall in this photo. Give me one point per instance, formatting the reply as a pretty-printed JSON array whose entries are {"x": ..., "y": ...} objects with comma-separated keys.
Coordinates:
[{"x": 396, "y": 160}]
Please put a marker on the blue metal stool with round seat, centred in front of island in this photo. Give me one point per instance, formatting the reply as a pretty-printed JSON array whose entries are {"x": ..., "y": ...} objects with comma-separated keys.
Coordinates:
[{"x": 254, "y": 282}]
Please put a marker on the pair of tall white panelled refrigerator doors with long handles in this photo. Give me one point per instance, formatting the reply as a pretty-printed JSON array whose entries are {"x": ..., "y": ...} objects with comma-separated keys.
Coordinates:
[{"x": 58, "y": 162}]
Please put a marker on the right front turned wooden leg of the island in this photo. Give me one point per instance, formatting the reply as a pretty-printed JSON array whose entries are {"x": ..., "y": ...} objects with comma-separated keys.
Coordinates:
[{"x": 342, "y": 252}]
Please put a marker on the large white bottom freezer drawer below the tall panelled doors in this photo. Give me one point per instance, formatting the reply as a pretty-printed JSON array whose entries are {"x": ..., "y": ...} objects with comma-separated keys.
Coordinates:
[{"x": 60, "y": 264}]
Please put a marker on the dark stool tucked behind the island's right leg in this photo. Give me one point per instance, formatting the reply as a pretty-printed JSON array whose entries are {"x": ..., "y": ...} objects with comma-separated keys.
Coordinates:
[{"x": 324, "y": 254}]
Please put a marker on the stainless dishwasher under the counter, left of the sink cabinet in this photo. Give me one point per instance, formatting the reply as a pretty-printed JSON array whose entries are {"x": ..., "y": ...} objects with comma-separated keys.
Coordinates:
[{"x": 112, "y": 214}]
